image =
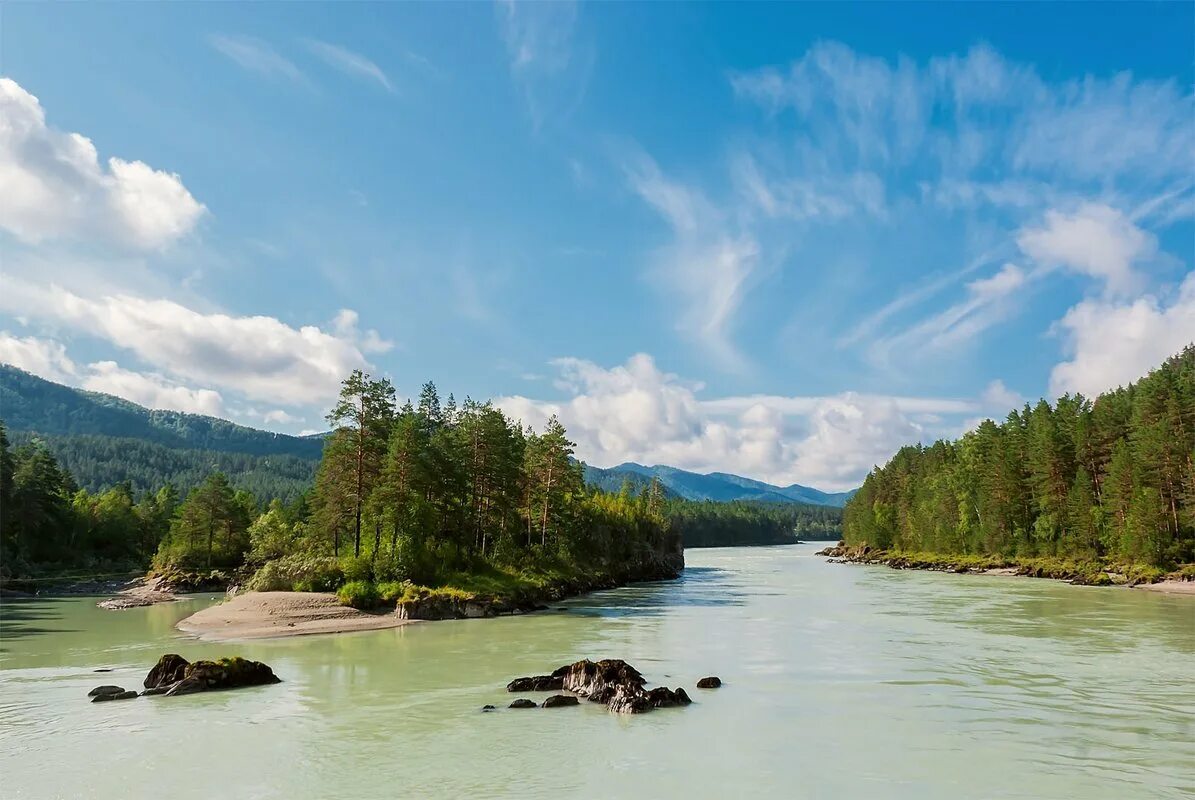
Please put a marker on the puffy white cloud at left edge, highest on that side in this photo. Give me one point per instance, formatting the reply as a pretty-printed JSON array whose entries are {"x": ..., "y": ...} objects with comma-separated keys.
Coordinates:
[{"x": 56, "y": 187}]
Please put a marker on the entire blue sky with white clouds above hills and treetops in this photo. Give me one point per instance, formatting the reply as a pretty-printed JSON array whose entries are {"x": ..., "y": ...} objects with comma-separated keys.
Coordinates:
[{"x": 780, "y": 241}]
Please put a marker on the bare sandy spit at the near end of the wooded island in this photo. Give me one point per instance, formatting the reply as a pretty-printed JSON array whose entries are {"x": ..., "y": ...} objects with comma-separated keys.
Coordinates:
[{"x": 265, "y": 615}]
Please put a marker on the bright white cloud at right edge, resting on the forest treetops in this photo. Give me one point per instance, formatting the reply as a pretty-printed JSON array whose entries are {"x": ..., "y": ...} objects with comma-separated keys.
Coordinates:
[{"x": 1112, "y": 345}]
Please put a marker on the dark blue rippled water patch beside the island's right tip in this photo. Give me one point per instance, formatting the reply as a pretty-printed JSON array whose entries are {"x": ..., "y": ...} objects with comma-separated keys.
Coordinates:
[{"x": 697, "y": 587}]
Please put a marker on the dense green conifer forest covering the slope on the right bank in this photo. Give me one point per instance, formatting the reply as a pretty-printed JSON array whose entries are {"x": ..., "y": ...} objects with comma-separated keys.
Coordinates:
[{"x": 1111, "y": 479}]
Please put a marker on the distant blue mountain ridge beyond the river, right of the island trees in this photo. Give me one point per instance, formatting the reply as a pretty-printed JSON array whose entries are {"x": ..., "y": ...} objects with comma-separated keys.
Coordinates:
[{"x": 721, "y": 487}]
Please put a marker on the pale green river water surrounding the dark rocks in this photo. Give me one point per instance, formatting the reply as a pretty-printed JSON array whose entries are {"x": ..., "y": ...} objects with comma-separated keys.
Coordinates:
[{"x": 841, "y": 682}]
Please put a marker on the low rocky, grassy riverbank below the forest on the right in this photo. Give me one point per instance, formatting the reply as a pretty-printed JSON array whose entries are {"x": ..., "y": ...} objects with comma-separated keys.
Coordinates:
[{"x": 1081, "y": 573}]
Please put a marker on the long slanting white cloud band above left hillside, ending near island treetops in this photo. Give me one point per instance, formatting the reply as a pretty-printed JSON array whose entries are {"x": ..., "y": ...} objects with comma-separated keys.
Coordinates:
[{"x": 259, "y": 357}]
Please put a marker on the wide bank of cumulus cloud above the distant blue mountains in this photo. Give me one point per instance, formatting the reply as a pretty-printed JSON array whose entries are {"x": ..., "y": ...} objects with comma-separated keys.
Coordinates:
[{"x": 636, "y": 412}]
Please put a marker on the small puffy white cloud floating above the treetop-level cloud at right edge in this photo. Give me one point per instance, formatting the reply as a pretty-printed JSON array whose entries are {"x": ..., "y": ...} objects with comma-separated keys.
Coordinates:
[{"x": 1095, "y": 241}]
